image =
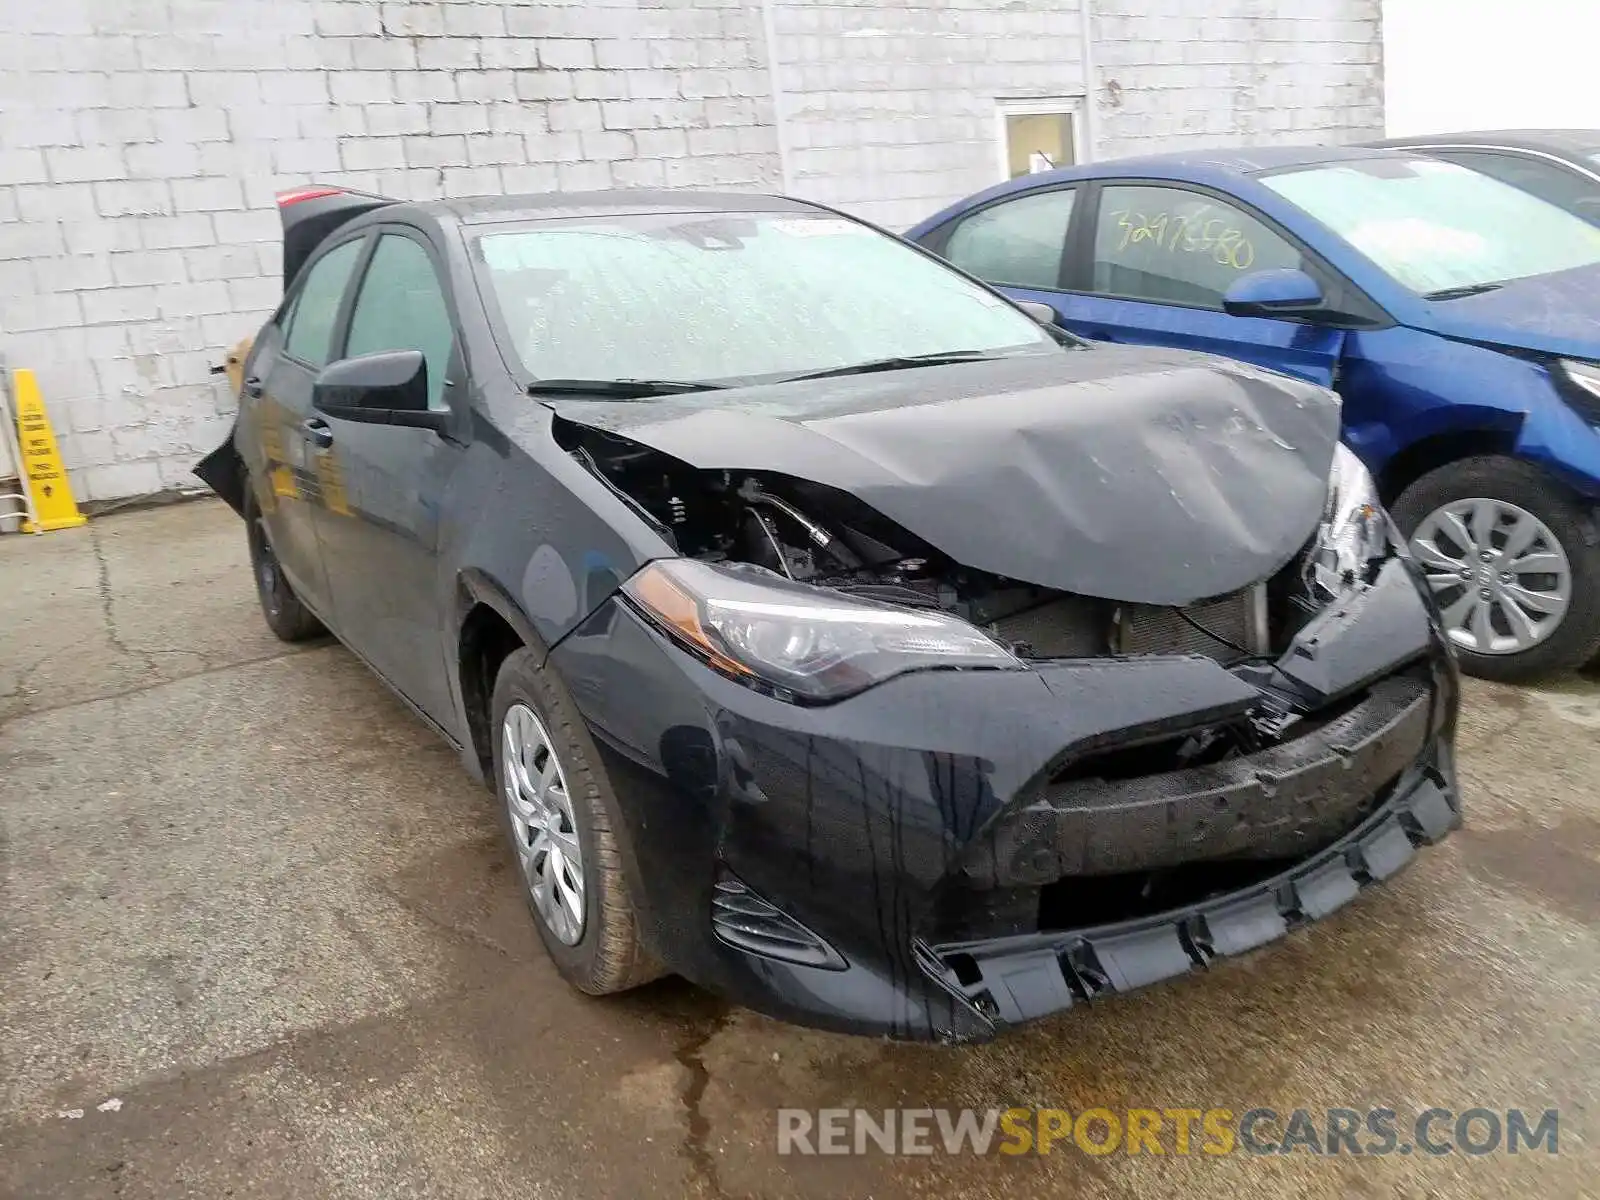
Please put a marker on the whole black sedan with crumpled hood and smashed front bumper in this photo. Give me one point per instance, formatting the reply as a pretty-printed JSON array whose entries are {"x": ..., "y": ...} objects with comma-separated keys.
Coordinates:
[{"x": 833, "y": 633}]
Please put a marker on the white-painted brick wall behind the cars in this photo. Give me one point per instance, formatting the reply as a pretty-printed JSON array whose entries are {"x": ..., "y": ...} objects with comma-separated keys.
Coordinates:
[{"x": 143, "y": 142}]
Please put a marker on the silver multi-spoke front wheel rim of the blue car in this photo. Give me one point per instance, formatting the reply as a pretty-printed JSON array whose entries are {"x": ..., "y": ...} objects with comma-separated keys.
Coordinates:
[{"x": 1502, "y": 578}]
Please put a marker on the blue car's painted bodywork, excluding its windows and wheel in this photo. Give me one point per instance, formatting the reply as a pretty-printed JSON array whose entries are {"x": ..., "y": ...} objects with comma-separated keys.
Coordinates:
[{"x": 1465, "y": 367}]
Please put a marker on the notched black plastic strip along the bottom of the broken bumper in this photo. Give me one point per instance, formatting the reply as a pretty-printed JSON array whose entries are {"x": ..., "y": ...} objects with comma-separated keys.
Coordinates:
[{"x": 1023, "y": 978}]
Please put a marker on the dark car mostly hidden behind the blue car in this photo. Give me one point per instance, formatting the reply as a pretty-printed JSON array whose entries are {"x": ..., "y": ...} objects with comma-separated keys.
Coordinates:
[{"x": 1556, "y": 166}]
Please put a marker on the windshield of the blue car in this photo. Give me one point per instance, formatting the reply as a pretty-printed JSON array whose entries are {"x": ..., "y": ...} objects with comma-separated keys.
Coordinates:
[{"x": 1436, "y": 226}]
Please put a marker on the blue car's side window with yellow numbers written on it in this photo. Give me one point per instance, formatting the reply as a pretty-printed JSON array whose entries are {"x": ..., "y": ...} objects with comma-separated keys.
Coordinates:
[{"x": 1172, "y": 246}]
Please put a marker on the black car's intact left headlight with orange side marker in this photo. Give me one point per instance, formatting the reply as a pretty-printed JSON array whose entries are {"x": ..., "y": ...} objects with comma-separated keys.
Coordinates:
[{"x": 807, "y": 641}]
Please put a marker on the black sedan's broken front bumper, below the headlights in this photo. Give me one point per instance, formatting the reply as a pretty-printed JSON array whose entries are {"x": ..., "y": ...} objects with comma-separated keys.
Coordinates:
[{"x": 951, "y": 854}]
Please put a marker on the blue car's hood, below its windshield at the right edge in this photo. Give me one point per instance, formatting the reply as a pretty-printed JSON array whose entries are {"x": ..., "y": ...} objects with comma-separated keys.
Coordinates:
[{"x": 1558, "y": 314}]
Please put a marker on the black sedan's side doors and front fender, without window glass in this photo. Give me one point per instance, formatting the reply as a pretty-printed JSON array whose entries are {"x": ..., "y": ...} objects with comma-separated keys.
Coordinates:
[{"x": 402, "y": 516}]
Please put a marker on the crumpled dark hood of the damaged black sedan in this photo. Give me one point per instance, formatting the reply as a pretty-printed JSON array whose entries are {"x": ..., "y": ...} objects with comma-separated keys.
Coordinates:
[{"x": 1130, "y": 474}]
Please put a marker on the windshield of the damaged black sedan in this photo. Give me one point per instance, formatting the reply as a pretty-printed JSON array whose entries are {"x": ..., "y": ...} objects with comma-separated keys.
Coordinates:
[{"x": 732, "y": 297}]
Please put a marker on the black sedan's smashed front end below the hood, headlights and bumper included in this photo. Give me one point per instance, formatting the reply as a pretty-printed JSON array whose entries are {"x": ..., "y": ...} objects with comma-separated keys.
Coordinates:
[{"x": 937, "y": 836}]
